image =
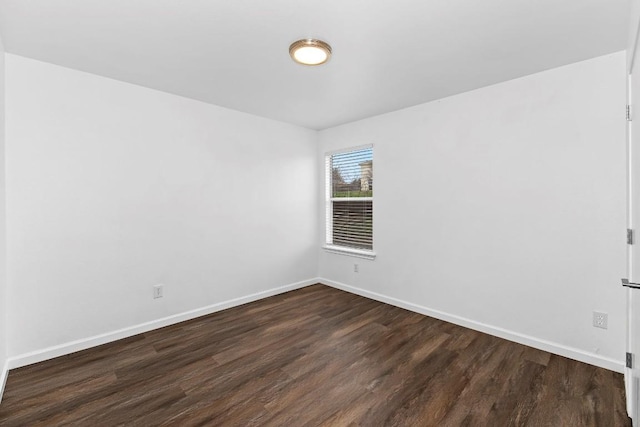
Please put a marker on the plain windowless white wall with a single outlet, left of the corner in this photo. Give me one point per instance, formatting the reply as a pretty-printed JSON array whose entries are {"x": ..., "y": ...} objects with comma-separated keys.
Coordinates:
[{"x": 113, "y": 188}]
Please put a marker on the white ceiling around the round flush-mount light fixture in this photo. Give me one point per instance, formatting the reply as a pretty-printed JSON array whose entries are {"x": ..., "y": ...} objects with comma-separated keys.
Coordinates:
[{"x": 387, "y": 54}]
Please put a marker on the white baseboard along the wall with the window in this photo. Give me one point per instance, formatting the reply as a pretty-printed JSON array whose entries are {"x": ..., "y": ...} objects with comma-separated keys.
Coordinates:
[{"x": 562, "y": 350}]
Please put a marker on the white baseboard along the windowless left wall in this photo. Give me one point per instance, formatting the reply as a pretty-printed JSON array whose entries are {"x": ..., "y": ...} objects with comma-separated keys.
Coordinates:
[{"x": 85, "y": 343}]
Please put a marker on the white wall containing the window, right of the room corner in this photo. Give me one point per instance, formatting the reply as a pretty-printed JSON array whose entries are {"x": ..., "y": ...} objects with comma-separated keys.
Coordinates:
[{"x": 503, "y": 208}]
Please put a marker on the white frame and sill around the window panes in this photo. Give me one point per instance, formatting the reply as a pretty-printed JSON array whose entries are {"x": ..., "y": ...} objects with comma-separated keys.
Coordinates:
[{"x": 329, "y": 246}]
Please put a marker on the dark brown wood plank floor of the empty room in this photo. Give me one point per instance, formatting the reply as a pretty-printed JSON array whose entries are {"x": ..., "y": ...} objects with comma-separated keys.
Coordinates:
[{"x": 315, "y": 356}]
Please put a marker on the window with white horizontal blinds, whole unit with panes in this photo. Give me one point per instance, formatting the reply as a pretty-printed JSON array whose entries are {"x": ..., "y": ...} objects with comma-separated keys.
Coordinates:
[{"x": 349, "y": 194}]
